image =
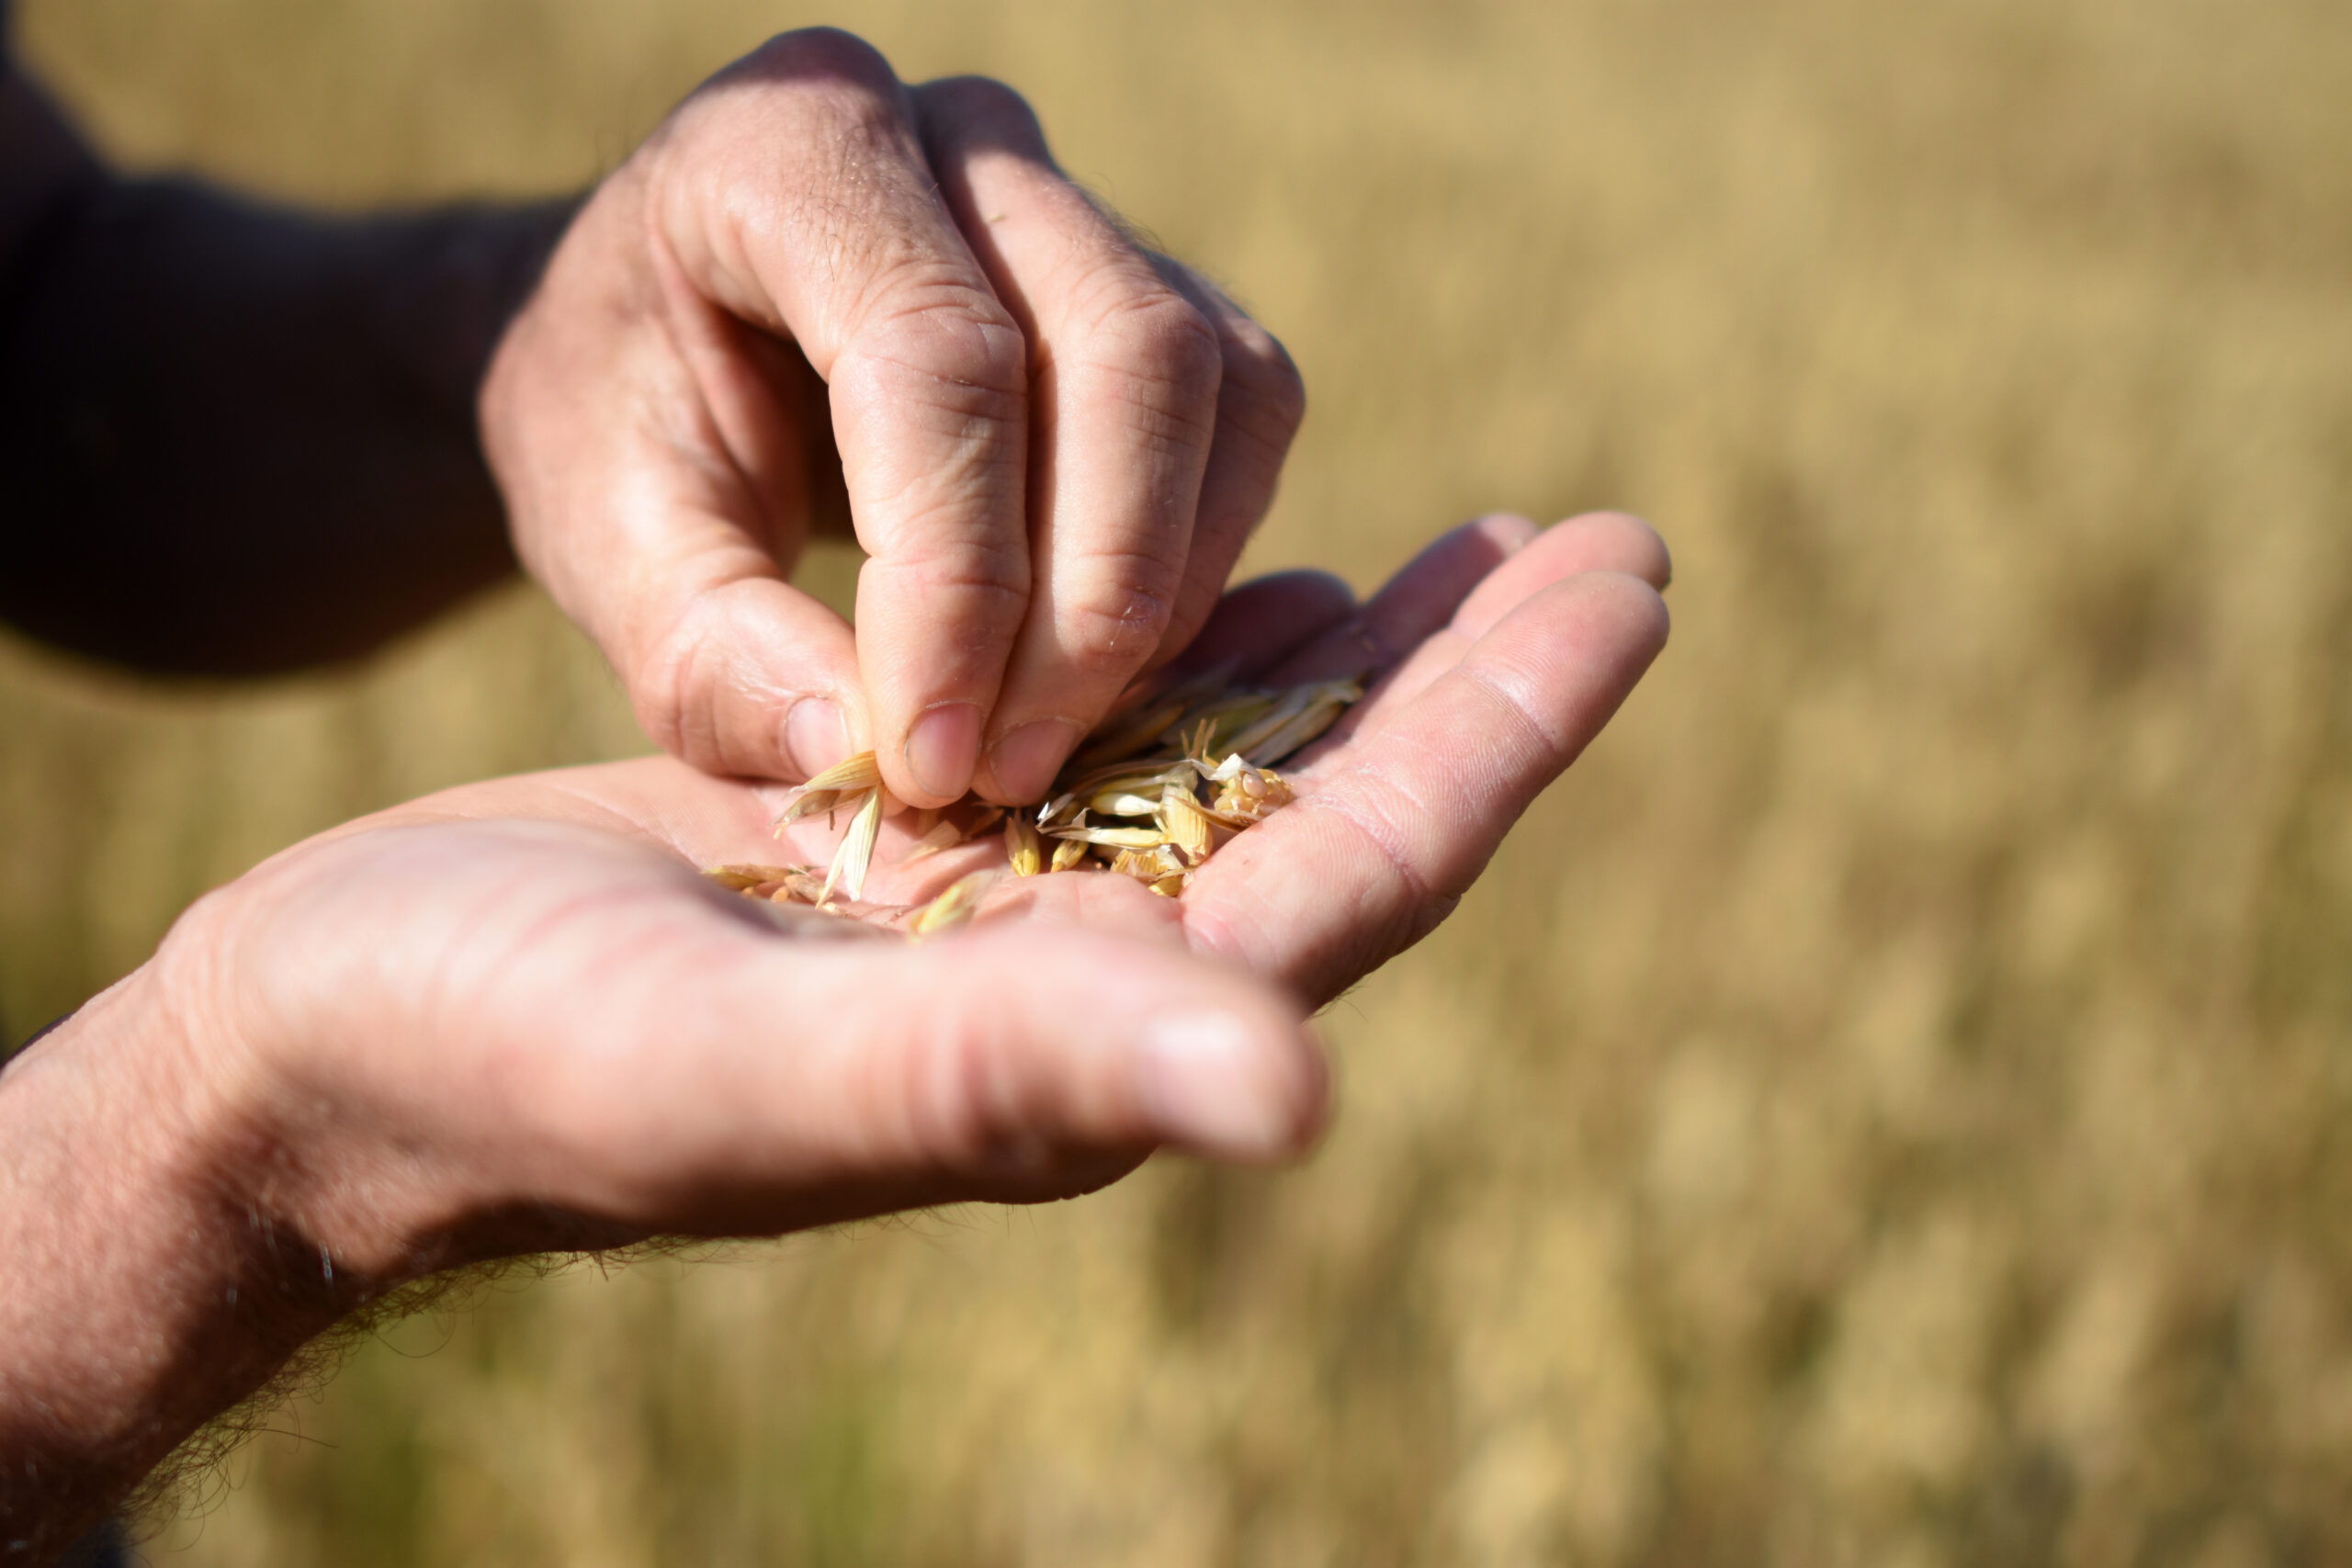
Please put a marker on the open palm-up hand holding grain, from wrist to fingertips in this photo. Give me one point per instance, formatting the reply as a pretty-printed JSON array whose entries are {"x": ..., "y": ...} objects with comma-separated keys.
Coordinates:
[{"x": 516, "y": 1019}]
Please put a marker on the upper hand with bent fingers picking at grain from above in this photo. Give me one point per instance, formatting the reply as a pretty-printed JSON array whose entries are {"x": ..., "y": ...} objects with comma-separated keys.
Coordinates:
[{"x": 1053, "y": 441}]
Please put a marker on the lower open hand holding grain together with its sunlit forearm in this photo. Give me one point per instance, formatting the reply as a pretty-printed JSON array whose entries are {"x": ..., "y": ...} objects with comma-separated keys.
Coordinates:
[{"x": 516, "y": 1019}]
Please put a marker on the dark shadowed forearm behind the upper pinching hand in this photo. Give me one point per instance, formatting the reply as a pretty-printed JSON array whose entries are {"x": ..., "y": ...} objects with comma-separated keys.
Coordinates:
[{"x": 239, "y": 438}]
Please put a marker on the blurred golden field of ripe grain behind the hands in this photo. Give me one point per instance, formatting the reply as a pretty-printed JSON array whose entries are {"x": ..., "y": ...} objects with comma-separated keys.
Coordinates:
[{"x": 1890, "y": 1106}]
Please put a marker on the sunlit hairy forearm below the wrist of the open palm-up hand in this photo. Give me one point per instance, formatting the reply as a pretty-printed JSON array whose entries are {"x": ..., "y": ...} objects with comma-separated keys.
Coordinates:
[{"x": 138, "y": 1292}]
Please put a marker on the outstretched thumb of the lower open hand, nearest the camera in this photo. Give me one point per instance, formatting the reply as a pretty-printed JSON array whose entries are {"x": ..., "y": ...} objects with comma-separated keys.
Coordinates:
[{"x": 815, "y": 1080}]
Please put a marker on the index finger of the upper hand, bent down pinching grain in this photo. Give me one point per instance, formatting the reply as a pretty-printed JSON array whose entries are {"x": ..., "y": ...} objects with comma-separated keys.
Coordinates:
[{"x": 836, "y": 236}]
